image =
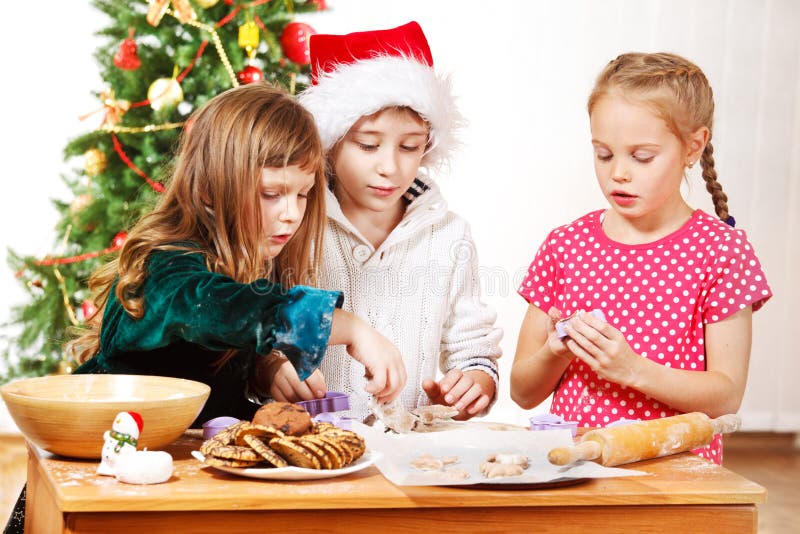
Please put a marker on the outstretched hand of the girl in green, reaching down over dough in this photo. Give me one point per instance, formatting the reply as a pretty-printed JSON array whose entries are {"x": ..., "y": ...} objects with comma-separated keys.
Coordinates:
[{"x": 383, "y": 363}]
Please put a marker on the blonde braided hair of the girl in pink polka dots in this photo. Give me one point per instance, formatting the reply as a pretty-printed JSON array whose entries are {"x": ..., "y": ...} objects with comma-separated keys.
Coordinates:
[{"x": 678, "y": 91}]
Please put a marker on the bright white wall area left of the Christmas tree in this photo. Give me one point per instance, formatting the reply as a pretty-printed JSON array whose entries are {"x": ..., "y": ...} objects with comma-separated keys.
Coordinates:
[{"x": 48, "y": 78}]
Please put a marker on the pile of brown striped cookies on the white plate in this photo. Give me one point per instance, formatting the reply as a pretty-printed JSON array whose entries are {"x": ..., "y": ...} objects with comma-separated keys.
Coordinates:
[{"x": 312, "y": 446}]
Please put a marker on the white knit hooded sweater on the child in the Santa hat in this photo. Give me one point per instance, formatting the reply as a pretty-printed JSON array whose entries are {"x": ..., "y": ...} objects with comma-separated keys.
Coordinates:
[{"x": 420, "y": 289}]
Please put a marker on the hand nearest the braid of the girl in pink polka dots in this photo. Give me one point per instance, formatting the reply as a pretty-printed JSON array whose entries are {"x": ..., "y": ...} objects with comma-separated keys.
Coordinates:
[{"x": 603, "y": 348}]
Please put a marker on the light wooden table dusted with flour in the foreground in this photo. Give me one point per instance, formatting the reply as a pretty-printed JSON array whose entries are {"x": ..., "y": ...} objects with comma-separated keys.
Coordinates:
[{"x": 683, "y": 494}]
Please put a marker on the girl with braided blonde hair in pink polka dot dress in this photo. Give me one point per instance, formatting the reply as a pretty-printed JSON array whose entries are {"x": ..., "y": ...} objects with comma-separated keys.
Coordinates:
[{"x": 677, "y": 286}]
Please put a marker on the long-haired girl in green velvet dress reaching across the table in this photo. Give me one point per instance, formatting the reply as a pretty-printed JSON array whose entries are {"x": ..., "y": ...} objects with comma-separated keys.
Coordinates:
[{"x": 215, "y": 284}]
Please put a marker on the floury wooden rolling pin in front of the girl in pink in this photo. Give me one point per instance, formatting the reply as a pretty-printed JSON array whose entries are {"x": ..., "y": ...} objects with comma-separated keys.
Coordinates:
[{"x": 646, "y": 439}]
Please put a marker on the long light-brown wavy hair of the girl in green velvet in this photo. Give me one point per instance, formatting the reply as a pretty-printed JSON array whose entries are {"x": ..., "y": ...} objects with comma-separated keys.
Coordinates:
[{"x": 212, "y": 200}]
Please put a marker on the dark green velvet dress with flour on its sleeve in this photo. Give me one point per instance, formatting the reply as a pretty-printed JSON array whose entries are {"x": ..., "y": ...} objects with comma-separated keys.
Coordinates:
[{"x": 192, "y": 316}]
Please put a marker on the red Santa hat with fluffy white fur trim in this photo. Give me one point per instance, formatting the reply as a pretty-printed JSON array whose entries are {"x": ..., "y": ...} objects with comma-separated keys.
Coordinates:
[{"x": 358, "y": 74}]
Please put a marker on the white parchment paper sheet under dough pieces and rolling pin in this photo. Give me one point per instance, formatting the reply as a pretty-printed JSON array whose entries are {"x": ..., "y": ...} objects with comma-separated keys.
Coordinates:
[{"x": 472, "y": 444}]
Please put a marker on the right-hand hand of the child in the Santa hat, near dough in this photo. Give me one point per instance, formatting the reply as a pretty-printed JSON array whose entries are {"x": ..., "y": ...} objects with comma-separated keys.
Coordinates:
[{"x": 467, "y": 392}]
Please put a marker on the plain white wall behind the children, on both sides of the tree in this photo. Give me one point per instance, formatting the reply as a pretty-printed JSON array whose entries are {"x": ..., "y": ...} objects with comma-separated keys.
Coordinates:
[{"x": 522, "y": 75}]
